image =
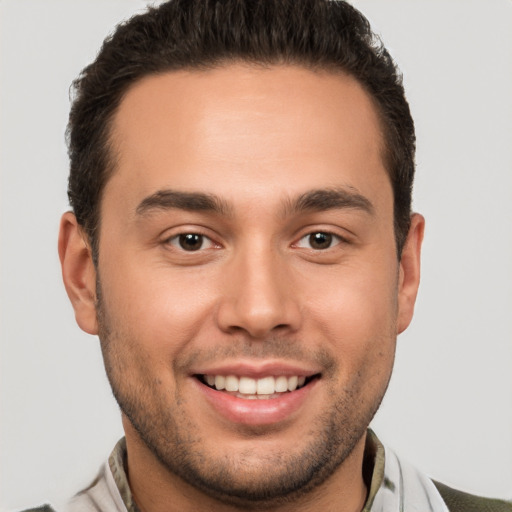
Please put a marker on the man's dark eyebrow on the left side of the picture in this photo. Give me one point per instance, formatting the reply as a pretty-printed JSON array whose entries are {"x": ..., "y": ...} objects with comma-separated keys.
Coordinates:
[{"x": 191, "y": 201}]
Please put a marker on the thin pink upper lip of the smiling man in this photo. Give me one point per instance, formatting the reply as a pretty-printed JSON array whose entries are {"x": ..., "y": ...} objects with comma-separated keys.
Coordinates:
[{"x": 257, "y": 369}]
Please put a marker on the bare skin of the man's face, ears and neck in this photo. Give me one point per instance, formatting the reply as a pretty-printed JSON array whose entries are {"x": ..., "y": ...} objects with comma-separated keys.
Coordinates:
[{"x": 256, "y": 293}]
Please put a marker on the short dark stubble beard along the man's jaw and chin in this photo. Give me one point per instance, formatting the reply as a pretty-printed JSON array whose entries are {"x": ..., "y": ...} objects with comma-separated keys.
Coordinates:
[{"x": 281, "y": 477}]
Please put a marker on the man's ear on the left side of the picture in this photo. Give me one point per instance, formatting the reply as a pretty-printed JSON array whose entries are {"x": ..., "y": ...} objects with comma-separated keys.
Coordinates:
[{"x": 78, "y": 272}]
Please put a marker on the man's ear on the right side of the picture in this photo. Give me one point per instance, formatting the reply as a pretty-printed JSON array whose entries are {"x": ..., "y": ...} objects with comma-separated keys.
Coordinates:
[{"x": 409, "y": 277}]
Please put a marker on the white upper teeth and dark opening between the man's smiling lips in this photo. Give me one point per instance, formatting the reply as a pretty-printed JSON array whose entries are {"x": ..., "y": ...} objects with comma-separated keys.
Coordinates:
[{"x": 252, "y": 389}]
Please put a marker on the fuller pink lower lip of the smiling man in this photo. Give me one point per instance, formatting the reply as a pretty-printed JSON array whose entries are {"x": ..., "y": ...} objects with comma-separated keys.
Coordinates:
[{"x": 256, "y": 412}]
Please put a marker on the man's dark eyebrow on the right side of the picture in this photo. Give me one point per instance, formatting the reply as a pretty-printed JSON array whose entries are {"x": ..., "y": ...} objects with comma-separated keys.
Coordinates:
[{"x": 329, "y": 199}]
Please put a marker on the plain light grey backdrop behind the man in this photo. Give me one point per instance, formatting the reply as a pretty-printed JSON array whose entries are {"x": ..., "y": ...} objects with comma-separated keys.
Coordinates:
[{"x": 449, "y": 406}]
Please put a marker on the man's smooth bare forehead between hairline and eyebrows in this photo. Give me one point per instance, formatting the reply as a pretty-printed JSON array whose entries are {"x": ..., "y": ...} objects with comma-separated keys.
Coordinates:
[{"x": 245, "y": 126}]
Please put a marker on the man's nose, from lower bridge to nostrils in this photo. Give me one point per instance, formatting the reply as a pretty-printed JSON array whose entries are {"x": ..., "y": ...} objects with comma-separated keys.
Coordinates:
[{"x": 259, "y": 296}]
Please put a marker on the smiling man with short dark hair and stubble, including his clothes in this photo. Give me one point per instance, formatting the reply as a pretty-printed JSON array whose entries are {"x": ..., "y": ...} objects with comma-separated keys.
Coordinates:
[{"x": 242, "y": 242}]
